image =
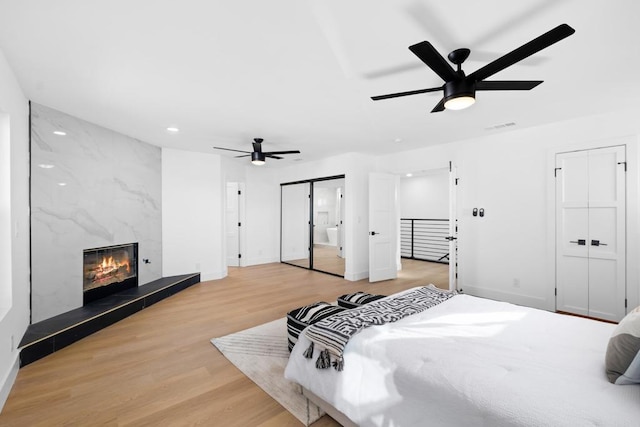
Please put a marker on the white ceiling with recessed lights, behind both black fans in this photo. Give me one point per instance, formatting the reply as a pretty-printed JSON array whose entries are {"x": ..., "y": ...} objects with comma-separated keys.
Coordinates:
[{"x": 300, "y": 73}]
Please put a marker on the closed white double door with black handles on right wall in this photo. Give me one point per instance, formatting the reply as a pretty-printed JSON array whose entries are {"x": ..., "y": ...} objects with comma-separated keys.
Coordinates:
[{"x": 590, "y": 233}]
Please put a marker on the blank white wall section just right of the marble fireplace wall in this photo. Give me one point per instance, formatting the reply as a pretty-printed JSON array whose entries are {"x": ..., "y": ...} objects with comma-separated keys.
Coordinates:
[{"x": 192, "y": 214}]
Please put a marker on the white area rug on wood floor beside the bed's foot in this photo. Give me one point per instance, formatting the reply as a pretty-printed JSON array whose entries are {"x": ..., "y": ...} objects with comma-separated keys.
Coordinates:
[{"x": 261, "y": 354}]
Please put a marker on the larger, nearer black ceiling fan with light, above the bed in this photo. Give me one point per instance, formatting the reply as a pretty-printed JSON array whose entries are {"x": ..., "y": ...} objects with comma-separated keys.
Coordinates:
[{"x": 460, "y": 89}]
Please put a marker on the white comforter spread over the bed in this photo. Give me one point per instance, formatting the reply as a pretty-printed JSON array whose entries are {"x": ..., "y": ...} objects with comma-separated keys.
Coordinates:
[{"x": 474, "y": 362}]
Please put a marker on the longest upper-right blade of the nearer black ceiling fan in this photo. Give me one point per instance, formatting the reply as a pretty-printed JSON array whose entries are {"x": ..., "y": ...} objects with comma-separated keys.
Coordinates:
[{"x": 547, "y": 39}]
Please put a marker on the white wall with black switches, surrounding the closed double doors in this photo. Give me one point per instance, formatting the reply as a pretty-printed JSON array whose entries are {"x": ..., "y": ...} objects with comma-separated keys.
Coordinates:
[{"x": 510, "y": 175}]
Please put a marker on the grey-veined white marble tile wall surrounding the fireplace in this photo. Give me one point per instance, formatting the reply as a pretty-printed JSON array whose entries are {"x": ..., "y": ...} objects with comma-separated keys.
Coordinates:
[{"x": 91, "y": 187}]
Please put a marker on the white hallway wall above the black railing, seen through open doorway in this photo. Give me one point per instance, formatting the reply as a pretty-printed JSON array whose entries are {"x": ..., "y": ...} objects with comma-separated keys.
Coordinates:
[{"x": 425, "y": 196}]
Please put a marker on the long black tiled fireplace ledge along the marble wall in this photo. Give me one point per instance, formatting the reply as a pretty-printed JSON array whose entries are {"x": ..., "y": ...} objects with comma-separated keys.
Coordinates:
[{"x": 48, "y": 336}]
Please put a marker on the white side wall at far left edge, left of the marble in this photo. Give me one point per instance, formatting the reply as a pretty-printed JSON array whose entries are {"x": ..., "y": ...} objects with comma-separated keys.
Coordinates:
[{"x": 14, "y": 225}]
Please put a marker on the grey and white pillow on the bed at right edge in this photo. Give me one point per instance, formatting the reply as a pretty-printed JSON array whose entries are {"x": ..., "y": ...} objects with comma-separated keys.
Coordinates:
[{"x": 622, "y": 360}]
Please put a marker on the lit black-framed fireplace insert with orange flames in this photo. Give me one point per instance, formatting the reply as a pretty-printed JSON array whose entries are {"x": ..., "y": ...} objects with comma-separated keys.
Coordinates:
[{"x": 109, "y": 269}]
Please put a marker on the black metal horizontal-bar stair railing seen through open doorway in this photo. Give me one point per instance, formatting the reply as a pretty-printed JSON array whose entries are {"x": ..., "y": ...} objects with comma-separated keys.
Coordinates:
[{"x": 424, "y": 239}]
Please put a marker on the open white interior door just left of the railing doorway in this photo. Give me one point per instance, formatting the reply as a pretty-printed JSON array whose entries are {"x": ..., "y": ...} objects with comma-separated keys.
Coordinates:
[{"x": 384, "y": 227}]
